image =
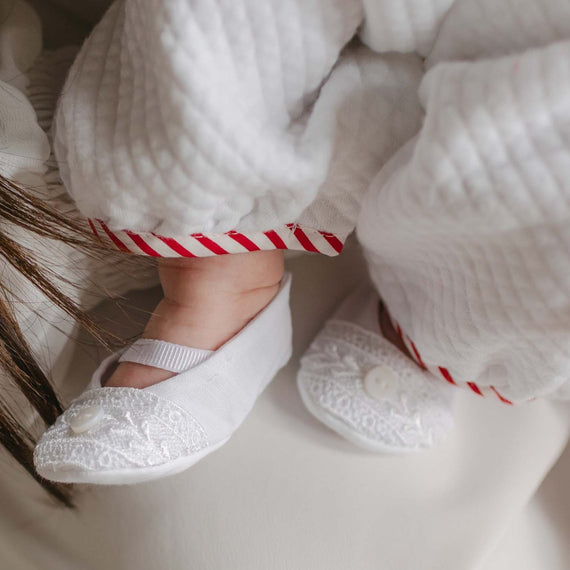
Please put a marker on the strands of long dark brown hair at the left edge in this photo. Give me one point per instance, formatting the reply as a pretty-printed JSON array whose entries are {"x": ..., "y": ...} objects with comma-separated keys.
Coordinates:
[{"x": 21, "y": 208}]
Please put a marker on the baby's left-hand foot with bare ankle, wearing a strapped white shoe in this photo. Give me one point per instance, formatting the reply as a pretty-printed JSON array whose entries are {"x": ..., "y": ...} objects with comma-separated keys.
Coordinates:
[{"x": 137, "y": 428}]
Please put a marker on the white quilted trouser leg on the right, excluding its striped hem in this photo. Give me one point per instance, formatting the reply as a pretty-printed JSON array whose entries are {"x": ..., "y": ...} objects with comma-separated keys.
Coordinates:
[{"x": 468, "y": 229}]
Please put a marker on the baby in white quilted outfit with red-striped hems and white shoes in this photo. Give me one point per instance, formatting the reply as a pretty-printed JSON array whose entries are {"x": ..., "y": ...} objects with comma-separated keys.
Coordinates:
[{"x": 213, "y": 135}]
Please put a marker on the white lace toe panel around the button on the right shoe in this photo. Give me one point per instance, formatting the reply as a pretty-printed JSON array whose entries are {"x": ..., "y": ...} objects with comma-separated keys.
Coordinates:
[{"x": 416, "y": 412}]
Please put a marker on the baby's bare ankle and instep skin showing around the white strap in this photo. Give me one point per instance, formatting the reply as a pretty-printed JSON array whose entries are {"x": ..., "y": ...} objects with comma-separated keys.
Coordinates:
[{"x": 206, "y": 302}]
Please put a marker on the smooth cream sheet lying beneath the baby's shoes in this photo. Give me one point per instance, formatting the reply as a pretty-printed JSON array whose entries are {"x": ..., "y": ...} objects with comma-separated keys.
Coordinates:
[{"x": 286, "y": 493}]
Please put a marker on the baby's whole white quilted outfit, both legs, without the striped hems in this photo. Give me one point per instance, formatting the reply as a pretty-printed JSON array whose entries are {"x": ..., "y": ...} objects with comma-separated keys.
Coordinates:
[{"x": 199, "y": 116}]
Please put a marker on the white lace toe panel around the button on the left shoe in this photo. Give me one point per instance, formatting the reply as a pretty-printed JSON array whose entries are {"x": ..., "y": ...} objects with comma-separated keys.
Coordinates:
[{"x": 139, "y": 429}]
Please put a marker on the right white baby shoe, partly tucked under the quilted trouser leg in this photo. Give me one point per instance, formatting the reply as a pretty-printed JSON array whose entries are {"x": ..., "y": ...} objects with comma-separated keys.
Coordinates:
[{"x": 360, "y": 385}]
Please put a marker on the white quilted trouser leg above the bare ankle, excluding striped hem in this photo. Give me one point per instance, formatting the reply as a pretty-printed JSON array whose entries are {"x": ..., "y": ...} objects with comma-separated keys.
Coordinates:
[{"x": 183, "y": 117}]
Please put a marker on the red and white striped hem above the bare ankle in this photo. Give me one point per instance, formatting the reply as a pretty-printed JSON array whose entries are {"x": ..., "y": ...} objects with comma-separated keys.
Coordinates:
[{"x": 291, "y": 236}]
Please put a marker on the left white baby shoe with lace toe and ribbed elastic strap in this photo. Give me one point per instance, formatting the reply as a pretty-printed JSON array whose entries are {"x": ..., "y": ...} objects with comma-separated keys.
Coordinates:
[{"x": 120, "y": 435}]
